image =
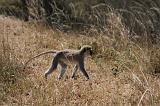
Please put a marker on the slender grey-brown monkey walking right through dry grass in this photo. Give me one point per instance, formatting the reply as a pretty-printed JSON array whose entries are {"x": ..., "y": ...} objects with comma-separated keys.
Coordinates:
[{"x": 63, "y": 57}]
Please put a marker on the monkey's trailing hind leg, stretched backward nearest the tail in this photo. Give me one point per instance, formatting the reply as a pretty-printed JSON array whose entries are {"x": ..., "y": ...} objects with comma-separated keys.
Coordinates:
[{"x": 52, "y": 67}]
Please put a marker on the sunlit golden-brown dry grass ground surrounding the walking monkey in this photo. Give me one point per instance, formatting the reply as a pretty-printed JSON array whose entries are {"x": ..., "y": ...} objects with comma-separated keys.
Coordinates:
[{"x": 118, "y": 70}]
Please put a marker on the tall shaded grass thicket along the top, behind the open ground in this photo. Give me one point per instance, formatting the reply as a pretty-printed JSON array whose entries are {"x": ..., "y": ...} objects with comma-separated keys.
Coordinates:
[{"x": 139, "y": 17}]
